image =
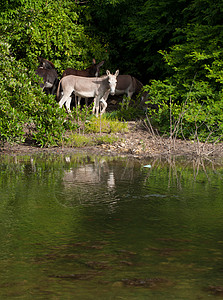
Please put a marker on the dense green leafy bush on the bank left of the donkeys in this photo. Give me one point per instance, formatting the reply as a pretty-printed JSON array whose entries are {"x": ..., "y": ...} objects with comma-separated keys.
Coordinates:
[{"x": 23, "y": 105}]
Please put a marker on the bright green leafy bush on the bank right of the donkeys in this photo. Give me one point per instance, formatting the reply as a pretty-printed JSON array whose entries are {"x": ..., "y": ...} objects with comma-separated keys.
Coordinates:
[{"x": 191, "y": 99}]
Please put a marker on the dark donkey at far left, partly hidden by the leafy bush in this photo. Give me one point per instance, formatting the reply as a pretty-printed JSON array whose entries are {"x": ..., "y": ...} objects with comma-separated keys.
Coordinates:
[{"x": 47, "y": 71}]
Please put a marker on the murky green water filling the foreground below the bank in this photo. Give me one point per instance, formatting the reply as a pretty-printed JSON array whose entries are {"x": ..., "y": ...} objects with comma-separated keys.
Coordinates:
[{"x": 84, "y": 227}]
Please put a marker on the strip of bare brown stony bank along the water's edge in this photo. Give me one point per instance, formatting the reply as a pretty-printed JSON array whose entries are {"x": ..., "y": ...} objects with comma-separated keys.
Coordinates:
[{"x": 137, "y": 142}]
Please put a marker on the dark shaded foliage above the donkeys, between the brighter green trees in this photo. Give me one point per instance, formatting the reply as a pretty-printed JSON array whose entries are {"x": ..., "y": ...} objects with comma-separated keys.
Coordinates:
[{"x": 135, "y": 30}]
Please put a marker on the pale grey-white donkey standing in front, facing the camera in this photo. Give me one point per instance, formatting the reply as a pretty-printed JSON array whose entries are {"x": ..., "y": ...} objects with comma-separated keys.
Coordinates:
[{"x": 86, "y": 87}]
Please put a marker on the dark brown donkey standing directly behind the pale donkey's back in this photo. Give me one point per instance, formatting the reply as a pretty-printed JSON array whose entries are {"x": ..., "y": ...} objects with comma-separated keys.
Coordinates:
[{"x": 92, "y": 71}]
